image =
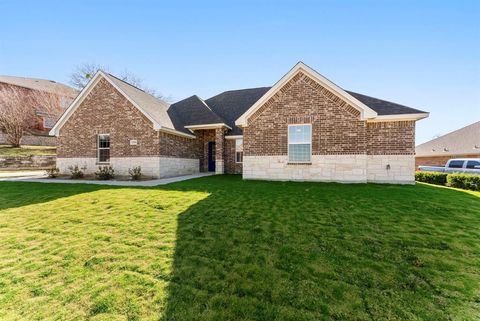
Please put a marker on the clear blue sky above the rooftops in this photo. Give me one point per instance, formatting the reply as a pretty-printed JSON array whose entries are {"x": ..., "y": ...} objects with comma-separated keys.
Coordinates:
[{"x": 422, "y": 54}]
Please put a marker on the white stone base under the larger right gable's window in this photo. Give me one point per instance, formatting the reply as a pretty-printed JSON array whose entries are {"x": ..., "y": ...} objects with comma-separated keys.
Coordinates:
[{"x": 326, "y": 168}]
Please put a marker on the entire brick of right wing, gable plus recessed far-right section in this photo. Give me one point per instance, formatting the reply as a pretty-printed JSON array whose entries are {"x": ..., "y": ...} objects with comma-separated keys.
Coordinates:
[{"x": 336, "y": 126}]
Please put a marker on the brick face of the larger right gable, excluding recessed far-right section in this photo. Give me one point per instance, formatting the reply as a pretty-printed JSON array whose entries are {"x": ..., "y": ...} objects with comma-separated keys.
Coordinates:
[{"x": 336, "y": 128}]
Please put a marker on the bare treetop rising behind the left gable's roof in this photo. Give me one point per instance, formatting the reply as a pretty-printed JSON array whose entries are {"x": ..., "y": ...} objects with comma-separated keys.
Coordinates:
[{"x": 83, "y": 73}]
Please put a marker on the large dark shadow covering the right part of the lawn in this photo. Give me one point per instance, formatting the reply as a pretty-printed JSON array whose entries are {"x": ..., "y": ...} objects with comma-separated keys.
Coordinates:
[{"x": 311, "y": 251}]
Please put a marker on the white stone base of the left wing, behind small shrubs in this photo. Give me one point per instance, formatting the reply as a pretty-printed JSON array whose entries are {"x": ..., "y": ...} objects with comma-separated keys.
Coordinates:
[{"x": 156, "y": 167}]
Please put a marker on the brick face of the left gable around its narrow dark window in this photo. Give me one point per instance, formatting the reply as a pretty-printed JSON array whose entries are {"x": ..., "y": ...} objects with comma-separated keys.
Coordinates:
[{"x": 106, "y": 111}]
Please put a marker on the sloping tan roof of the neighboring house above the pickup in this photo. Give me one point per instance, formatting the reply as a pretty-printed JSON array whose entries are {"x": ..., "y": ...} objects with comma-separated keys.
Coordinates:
[{"x": 463, "y": 141}]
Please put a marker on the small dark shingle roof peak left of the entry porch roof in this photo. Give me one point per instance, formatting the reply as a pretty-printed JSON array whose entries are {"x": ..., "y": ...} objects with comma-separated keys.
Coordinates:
[{"x": 192, "y": 111}]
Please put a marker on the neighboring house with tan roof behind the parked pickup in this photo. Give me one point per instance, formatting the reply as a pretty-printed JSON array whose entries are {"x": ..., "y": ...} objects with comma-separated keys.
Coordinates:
[{"x": 462, "y": 143}]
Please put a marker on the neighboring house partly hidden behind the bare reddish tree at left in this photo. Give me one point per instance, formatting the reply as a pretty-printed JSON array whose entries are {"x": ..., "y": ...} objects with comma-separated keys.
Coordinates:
[{"x": 43, "y": 118}]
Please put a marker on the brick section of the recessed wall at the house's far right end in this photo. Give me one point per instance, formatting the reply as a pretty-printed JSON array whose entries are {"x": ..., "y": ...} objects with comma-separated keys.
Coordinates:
[{"x": 391, "y": 138}]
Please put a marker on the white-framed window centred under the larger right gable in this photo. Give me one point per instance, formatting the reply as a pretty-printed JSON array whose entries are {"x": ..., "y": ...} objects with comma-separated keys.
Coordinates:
[{"x": 300, "y": 143}]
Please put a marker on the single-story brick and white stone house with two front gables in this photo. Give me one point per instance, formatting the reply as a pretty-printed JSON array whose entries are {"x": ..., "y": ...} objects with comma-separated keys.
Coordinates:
[{"x": 303, "y": 128}]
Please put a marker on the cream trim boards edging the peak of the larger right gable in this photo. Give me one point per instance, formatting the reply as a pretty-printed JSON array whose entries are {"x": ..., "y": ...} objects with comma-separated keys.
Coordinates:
[{"x": 365, "y": 111}]
